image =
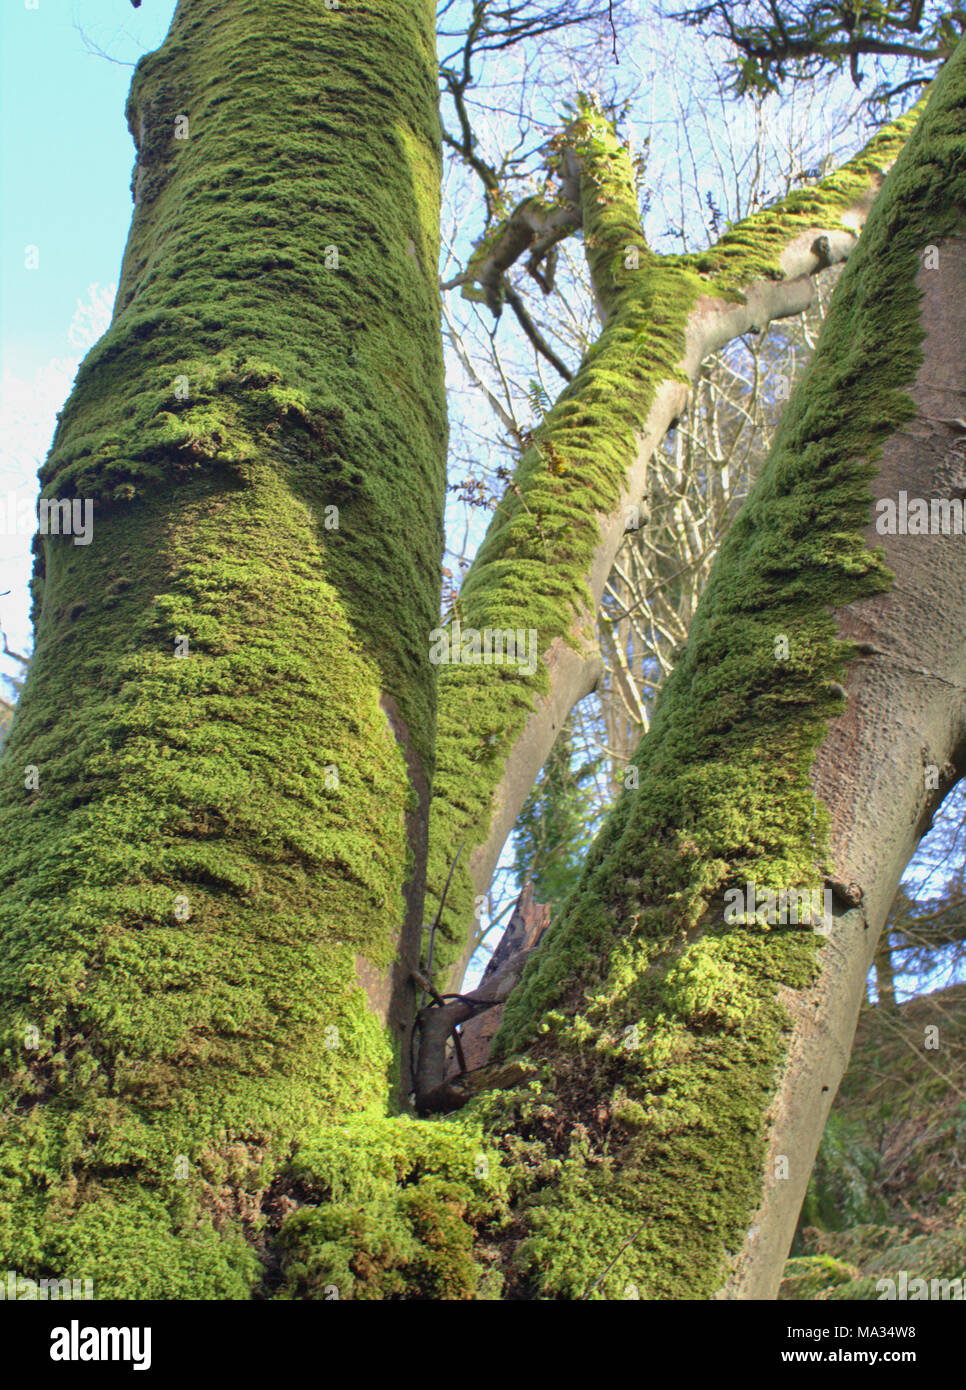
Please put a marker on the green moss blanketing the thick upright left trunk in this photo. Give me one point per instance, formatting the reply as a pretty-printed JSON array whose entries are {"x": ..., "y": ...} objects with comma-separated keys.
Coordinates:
[{"x": 219, "y": 835}]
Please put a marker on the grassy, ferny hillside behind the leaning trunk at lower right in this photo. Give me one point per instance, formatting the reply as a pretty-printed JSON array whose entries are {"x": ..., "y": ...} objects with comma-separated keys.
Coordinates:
[{"x": 886, "y": 1193}]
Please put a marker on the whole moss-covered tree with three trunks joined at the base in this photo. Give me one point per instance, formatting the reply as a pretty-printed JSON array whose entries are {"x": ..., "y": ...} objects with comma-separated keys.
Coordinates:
[{"x": 216, "y": 797}]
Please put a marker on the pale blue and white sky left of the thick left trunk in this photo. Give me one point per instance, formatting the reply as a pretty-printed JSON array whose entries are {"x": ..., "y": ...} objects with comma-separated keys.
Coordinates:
[{"x": 65, "y": 190}]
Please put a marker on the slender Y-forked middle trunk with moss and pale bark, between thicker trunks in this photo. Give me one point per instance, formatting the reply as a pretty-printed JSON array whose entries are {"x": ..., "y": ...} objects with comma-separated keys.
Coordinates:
[{"x": 557, "y": 532}]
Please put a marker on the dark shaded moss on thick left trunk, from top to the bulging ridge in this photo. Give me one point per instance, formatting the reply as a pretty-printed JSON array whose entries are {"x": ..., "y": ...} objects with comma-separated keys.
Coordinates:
[{"x": 233, "y": 244}]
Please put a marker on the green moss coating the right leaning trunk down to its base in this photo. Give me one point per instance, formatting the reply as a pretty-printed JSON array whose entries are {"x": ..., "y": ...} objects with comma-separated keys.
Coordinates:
[{"x": 621, "y": 1153}]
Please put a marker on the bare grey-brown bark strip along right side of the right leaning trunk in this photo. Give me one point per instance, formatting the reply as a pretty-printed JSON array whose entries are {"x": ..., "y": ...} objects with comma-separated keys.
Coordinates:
[{"x": 906, "y": 717}]
